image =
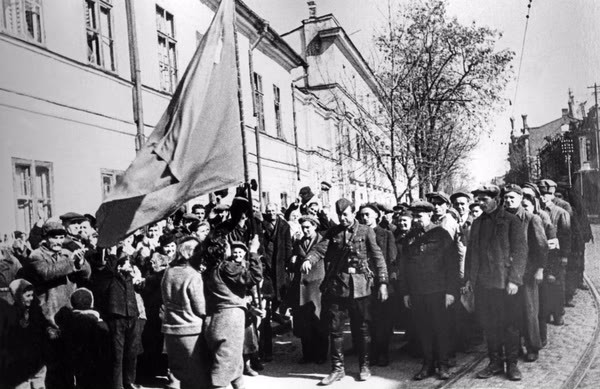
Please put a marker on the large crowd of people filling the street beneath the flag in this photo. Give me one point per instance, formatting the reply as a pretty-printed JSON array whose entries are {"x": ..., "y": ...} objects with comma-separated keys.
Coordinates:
[{"x": 195, "y": 297}]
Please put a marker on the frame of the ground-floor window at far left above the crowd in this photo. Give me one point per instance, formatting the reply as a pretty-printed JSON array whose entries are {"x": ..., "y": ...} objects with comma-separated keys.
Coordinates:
[{"x": 33, "y": 198}]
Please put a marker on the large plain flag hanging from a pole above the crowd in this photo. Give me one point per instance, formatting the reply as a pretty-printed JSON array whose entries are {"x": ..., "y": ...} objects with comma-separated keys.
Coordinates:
[{"x": 195, "y": 148}]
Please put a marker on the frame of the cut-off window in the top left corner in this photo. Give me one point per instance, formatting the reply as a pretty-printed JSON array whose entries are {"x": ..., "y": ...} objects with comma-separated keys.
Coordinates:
[{"x": 21, "y": 21}]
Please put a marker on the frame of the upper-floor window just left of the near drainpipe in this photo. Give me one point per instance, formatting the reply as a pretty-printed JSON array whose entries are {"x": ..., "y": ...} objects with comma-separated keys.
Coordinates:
[{"x": 99, "y": 5}]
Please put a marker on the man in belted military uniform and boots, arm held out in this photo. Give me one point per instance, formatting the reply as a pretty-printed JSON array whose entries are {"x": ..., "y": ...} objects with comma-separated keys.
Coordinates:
[{"x": 354, "y": 266}]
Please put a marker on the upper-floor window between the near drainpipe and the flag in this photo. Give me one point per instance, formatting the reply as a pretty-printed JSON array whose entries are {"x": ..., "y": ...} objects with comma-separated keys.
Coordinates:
[{"x": 167, "y": 57}]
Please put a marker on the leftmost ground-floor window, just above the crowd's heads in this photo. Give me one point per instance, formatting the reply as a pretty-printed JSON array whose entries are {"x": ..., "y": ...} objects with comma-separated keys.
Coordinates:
[{"x": 32, "y": 182}]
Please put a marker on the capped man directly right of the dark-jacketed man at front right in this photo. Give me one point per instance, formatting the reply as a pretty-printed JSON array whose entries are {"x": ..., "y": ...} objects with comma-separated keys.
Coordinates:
[{"x": 537, "y": 254}]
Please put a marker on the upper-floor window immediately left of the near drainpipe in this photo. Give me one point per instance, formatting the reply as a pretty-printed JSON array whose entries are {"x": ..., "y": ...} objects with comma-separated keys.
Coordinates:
[{"x": 98, "y": 23}]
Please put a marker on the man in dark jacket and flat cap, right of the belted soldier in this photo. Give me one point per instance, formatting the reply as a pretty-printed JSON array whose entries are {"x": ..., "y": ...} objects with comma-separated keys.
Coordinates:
[{"x": 429, "y": 284}]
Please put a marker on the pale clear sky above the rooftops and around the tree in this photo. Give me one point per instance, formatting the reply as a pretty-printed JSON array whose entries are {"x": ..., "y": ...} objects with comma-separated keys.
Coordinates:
[{"x": 560, "y": 53}]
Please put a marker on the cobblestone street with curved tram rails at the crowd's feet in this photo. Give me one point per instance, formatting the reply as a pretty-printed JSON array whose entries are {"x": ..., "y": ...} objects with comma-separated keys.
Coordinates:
[{"x": 561, "y": 364}]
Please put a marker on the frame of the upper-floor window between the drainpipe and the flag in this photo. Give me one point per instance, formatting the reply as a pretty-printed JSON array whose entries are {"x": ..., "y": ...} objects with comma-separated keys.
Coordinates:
[{"x": 169, "y": 40}]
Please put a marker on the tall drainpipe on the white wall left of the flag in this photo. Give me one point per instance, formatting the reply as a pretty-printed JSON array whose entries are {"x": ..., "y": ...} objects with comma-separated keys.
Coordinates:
[{"x": 136, "y": 76}]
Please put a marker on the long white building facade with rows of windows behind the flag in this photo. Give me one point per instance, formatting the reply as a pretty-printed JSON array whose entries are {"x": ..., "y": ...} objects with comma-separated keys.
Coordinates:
[{"x": 68, "y": 117}]
